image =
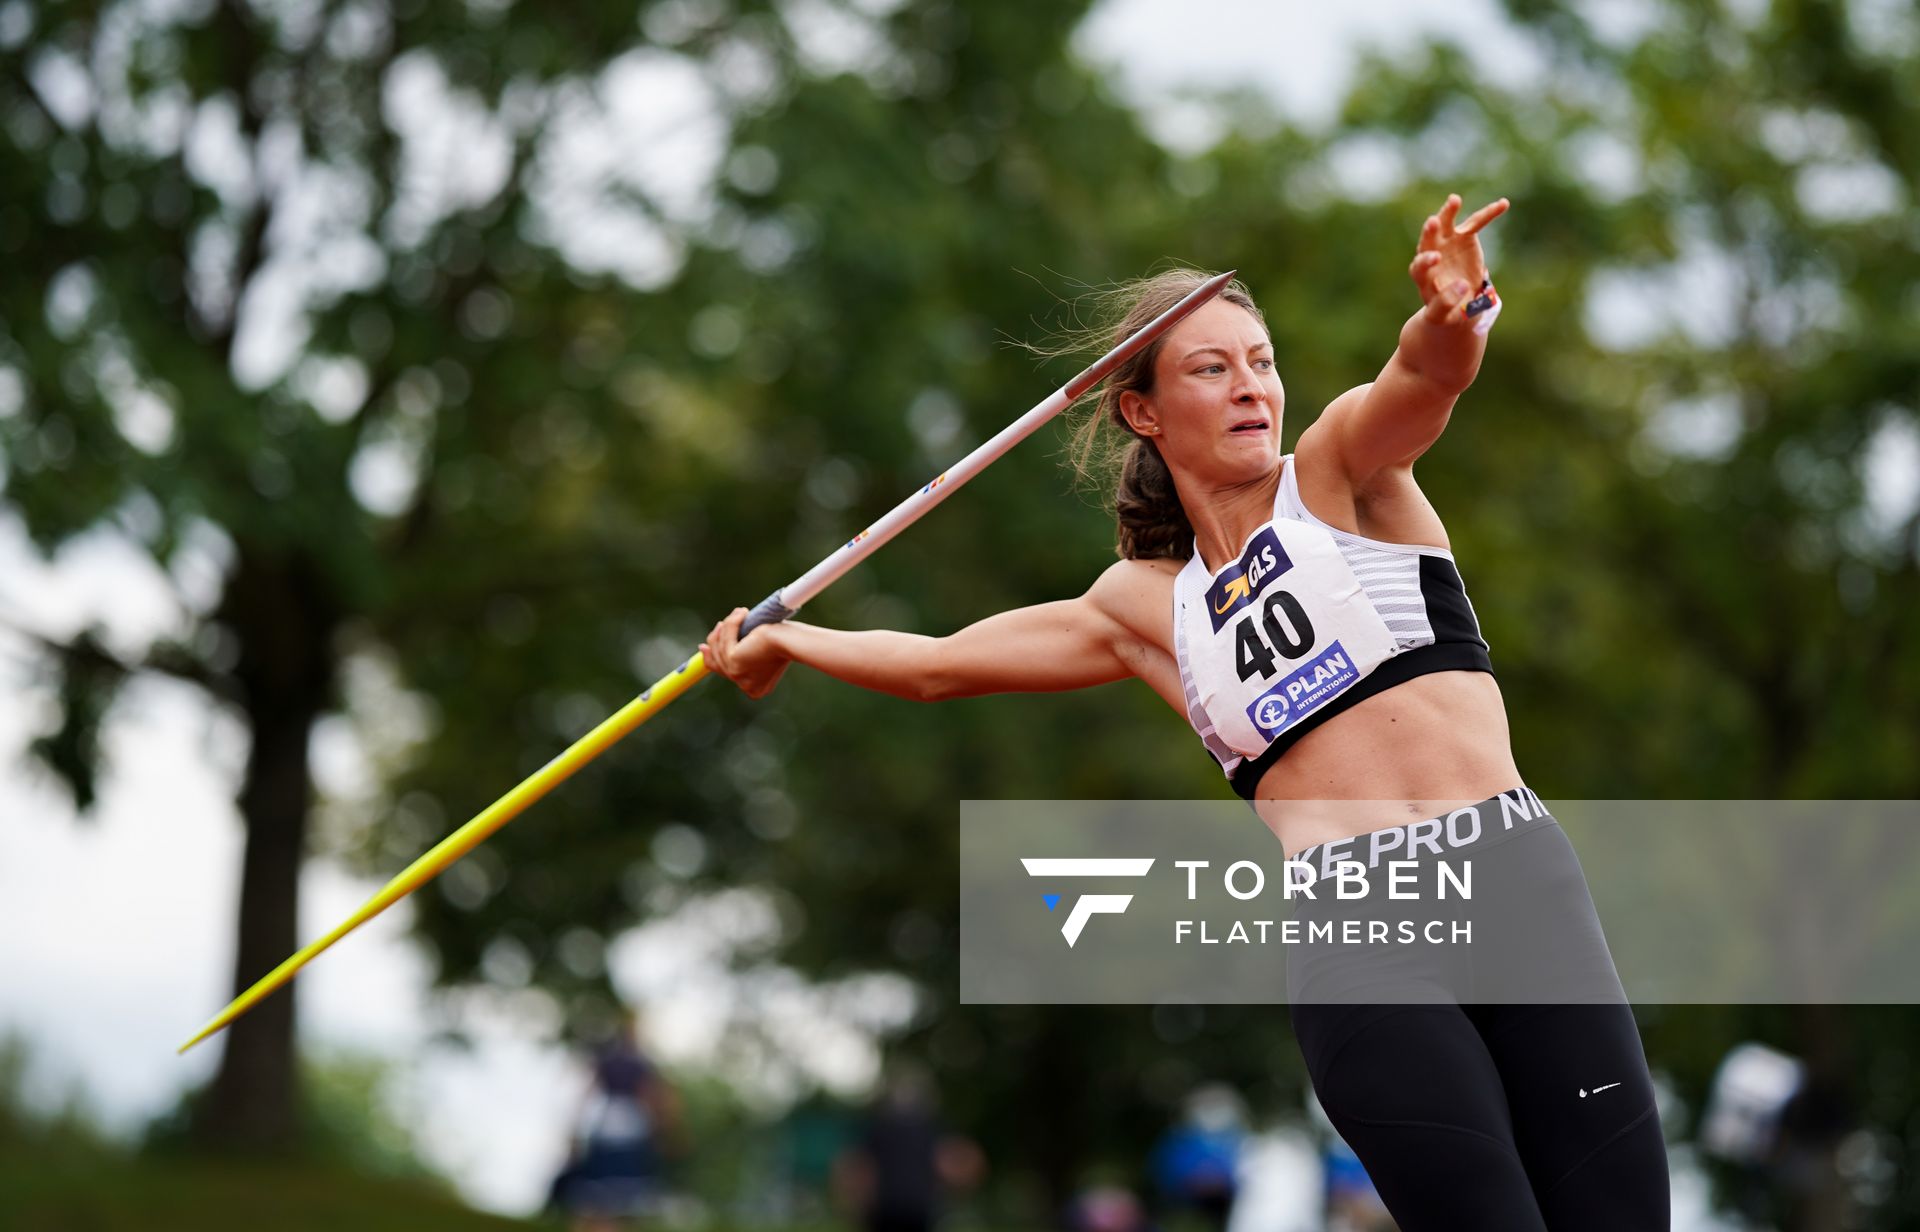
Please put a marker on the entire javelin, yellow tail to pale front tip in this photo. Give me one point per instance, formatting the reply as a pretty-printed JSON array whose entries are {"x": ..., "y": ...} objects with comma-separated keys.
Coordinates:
[{"x": 780, "y": 605}]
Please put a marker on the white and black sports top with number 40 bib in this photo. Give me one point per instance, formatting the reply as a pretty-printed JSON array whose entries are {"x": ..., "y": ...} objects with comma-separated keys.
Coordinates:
[{"x": 1307, "y": 623}]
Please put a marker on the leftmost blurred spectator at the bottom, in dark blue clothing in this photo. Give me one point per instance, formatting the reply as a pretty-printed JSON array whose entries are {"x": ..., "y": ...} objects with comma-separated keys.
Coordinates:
[{"x": 627, "y": 1125}]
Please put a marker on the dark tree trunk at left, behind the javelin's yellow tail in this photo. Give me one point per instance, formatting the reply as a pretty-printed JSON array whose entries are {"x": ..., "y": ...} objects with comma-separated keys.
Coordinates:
[{"x": 285, "y": 623}]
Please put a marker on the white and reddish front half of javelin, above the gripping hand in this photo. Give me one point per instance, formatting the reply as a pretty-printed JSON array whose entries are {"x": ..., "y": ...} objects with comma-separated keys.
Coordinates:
[{"x": 792, "y": 598}]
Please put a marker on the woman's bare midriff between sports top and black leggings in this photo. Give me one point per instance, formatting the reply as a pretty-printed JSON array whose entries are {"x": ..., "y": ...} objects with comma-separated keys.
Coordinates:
[{"x": 1416, "y": 751}]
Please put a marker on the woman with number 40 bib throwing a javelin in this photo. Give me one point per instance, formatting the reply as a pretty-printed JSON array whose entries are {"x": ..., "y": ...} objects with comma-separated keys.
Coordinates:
[{"x": 1307, "y": 617}]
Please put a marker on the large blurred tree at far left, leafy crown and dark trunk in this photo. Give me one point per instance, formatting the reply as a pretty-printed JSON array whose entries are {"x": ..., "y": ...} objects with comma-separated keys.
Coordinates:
[{"x": 325, "y": 300}]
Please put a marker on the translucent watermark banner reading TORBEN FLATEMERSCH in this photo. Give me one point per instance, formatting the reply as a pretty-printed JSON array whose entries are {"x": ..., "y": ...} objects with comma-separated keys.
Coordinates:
[{"x": 1502, "y": 901}]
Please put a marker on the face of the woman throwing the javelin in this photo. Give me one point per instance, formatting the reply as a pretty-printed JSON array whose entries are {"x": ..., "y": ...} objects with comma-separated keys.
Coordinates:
[{"x": 1216, "y": 400}]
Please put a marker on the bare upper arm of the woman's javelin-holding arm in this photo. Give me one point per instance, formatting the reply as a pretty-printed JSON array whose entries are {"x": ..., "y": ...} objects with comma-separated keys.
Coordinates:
[{"x": 1049, "y": 648}]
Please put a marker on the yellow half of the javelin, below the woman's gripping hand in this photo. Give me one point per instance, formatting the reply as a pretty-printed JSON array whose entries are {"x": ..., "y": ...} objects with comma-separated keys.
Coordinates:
[{"x": 471, "y": 836}]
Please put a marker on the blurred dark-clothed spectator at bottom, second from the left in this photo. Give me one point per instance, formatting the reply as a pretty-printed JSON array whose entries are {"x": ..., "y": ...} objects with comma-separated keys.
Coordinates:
[{"x": 894, "y": 1179}]
